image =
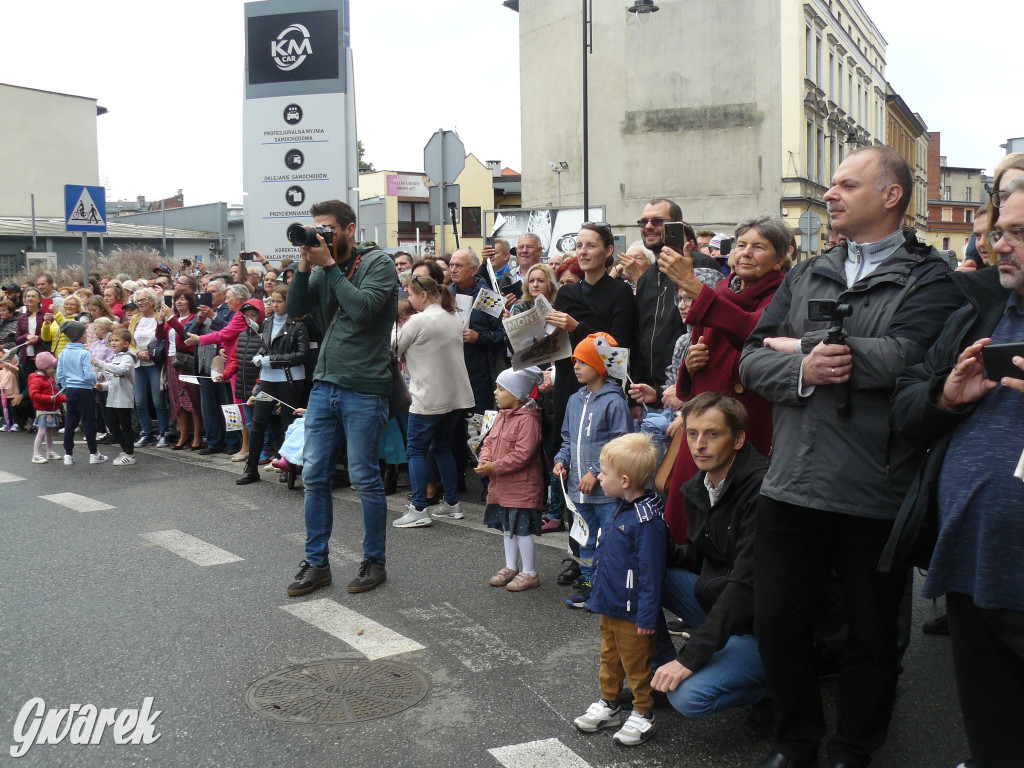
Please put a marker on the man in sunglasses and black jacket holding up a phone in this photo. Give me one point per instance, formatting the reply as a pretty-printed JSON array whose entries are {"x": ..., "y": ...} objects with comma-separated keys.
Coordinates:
[{"x": 659, "y": 324}]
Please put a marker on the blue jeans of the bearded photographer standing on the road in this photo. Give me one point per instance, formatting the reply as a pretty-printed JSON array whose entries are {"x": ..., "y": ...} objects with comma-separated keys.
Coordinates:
[{"x": 334, "y": 415}]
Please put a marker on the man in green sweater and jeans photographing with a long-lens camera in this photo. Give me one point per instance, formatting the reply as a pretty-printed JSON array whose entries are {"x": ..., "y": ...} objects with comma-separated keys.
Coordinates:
[{"x": 355, "y": 288}]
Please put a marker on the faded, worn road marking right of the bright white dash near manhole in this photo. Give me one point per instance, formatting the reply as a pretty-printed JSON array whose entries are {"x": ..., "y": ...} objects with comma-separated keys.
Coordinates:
[{"x": 474, "y": 645}]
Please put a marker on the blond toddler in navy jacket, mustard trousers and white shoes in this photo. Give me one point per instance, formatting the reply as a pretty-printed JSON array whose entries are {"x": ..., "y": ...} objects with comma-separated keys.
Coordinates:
[{"x": 627, "y": 592}]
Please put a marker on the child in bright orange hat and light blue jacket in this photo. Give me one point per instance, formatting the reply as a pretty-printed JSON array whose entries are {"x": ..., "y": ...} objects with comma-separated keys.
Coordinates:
[{"x": 596, "y": 414}]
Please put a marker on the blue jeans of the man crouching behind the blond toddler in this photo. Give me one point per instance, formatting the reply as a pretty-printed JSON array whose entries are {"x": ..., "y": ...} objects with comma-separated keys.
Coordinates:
[{"x": 734, "y": 677}]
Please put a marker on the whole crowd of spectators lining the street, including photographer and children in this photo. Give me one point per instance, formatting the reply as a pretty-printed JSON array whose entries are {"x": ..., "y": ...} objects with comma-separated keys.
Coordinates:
[{"x": 792, "y": 438}]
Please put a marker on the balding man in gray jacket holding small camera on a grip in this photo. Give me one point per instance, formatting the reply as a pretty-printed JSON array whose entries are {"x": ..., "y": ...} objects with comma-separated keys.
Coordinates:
[{"x": 837, "y": 475}]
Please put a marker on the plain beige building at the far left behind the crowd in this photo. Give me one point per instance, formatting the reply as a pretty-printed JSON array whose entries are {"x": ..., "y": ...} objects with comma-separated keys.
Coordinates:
[{"x": 50, "y": 141}]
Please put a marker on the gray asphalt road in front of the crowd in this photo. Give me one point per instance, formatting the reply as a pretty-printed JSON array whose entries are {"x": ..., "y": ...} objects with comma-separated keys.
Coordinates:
[{"x": 97, "y": 610}]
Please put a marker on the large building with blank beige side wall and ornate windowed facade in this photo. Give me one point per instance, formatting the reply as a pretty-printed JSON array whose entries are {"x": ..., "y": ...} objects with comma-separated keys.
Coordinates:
[{"x": 729, "y": 119}]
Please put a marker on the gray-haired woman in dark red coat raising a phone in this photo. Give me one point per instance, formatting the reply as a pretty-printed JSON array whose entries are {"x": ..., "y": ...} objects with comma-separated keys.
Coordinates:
[{"x": 722, "y": 319}]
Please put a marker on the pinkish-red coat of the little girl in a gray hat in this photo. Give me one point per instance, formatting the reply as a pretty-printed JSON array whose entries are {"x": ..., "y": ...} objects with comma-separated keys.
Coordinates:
[{"x": 514, "y": 448}]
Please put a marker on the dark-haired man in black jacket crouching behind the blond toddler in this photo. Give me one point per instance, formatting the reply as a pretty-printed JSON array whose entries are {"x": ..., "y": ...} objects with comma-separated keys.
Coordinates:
[{"x": 709, "y": 581}]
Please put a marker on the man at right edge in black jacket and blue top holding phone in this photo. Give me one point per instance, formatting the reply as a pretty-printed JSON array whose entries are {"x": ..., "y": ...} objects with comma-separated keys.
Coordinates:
[{"x": 952, "y": 405}]
